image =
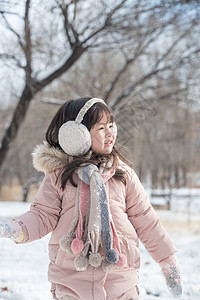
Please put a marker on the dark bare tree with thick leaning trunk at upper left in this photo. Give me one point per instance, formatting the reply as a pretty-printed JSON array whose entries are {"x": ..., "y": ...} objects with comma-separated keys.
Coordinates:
[{"x": 79, "y": 42}]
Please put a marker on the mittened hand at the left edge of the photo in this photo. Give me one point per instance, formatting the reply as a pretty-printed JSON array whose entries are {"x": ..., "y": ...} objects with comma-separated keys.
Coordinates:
[{"x": 11, "y": 229}]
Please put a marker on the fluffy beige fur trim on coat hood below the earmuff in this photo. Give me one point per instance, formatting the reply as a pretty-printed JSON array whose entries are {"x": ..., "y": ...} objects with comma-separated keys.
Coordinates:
[{"x": 48, "y": 159}]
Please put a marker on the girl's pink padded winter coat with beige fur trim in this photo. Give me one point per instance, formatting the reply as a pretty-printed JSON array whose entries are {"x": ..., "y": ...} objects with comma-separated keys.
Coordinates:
[{"x": 52, "y": 211}]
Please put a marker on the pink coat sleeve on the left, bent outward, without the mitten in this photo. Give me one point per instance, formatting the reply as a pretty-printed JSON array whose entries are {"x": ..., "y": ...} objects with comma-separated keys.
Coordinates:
[{"x": 44, "y": 211}]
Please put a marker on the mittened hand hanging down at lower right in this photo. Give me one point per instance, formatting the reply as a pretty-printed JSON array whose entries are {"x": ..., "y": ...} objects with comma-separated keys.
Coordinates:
[{"x": 172, "y": 275}]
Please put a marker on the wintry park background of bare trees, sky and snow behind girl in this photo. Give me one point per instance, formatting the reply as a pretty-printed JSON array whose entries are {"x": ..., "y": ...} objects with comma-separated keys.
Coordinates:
[{"x": 142, "y": 58}]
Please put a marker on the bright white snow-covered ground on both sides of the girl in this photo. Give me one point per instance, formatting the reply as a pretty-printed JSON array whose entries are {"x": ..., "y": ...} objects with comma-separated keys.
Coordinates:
[{"x": 23, "y": 268}]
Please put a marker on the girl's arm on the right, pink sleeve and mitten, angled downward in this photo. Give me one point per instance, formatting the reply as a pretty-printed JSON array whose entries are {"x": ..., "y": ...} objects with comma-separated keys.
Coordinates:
[{"x": 152, "y": 234}]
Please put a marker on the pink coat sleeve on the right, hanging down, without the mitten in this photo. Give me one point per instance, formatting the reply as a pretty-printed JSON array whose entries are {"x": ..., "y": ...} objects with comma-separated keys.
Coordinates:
[{"x": 145, "y": 220}]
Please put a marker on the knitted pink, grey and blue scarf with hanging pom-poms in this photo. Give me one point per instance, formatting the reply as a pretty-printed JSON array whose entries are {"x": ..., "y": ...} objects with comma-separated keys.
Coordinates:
[{"x": 92, "y": 226}]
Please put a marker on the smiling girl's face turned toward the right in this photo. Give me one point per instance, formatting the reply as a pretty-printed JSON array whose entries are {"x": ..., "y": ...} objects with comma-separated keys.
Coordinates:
[{"x": 103, "y": 136}]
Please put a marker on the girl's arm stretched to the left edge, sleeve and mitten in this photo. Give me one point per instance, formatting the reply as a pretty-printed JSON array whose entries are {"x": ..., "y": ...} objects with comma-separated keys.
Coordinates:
[{"x": 42, "y": 217}]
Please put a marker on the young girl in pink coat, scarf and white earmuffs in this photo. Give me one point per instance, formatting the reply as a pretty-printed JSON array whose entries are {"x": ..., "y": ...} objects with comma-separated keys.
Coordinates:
[{"x": 96, "y": 208}]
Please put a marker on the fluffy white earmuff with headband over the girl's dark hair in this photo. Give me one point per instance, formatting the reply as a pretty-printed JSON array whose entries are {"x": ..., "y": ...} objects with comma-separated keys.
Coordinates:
[{"x": 74, "y": 138}]
